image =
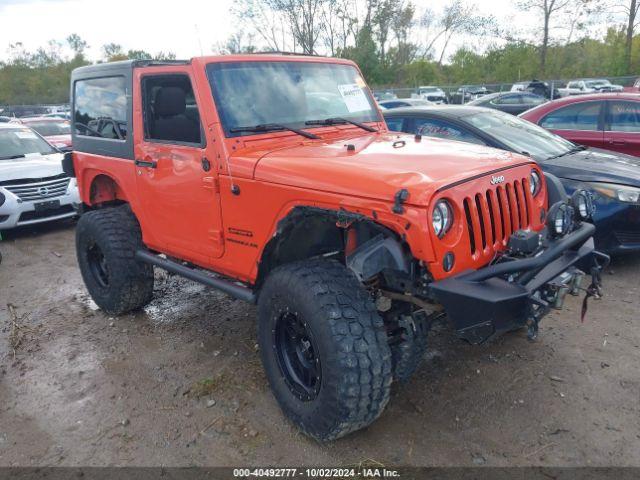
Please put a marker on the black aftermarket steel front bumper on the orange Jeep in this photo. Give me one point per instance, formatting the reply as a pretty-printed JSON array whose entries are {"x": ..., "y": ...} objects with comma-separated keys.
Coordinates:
[{"x": 484, "y": 303}]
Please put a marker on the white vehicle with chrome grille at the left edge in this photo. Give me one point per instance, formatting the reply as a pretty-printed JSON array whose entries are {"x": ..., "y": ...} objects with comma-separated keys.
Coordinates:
[{"x": 33, "y": 187}]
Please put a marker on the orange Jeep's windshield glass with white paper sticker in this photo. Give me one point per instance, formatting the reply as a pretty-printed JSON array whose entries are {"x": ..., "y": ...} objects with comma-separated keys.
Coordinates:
[{"x": 287, "y": 93}]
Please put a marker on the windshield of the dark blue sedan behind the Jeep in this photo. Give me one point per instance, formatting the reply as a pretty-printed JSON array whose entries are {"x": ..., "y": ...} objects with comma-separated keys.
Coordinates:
[{"x": 521, "y": 136}]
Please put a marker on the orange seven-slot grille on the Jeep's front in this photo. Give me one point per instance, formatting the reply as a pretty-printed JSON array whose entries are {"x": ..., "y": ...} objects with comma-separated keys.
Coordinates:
[{"x": 494, "y": 215}]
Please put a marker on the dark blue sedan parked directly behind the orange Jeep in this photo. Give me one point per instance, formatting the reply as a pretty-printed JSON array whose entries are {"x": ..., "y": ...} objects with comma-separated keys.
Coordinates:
[{"x": 613, "y": 178}]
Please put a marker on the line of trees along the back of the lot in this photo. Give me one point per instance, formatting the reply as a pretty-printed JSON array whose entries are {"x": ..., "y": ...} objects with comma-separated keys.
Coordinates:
[{"x": 399, "y": 43}]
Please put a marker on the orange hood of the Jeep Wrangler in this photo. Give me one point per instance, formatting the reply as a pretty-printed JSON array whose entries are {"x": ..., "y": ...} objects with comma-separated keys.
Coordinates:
[{"x": 381, "y": 165}]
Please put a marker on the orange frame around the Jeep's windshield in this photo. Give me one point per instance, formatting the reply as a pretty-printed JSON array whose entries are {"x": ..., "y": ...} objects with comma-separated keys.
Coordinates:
[{"x": 227, "y": 127}]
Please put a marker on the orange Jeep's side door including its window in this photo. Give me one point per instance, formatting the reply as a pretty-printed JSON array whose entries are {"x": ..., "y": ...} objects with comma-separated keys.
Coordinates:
[{"x": 176, "y": 176}]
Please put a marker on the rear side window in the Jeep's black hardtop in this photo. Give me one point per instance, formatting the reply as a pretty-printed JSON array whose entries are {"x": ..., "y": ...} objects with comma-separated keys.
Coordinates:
[{"x": 100, "y": 108}]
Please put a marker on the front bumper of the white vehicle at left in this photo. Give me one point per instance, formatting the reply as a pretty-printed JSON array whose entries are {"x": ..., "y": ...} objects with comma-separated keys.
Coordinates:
[{"x": 15, "y": 212}]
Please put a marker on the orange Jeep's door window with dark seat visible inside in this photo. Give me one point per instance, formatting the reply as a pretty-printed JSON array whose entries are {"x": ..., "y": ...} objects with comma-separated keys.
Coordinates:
[{"x": 170, "y": 111}]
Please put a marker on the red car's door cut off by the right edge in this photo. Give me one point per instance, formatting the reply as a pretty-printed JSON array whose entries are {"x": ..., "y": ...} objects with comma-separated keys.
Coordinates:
[{"x": 622, "y": 127}]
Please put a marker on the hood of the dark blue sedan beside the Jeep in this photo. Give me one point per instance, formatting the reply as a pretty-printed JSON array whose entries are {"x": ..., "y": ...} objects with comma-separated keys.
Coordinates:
[{"x": 595, "y": 165}]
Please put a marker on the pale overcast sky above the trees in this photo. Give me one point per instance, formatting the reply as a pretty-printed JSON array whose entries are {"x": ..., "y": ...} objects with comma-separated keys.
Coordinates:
[{"x": 185, "y": 27}]
